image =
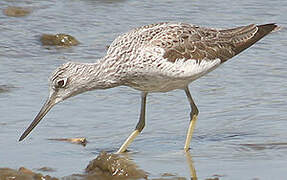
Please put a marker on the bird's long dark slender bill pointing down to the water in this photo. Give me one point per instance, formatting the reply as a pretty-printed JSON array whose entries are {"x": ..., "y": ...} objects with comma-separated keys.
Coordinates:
[{"x": 44, "y": 110}]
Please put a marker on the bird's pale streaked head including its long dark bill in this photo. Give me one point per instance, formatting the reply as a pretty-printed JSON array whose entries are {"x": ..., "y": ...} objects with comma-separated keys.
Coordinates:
[{"x": 65, "y": 82}]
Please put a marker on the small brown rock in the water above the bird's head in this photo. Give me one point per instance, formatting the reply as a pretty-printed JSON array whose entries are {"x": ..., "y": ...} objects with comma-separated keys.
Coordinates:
[{"x": 63, "y": 40}]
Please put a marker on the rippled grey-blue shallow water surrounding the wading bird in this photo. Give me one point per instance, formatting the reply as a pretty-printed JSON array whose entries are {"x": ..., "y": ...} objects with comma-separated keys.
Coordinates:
[{"x": 241, "y": 131}]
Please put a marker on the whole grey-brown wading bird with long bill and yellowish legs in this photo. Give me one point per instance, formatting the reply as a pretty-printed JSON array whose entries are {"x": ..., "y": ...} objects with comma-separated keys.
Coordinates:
[{"x": 153, "y": 58}]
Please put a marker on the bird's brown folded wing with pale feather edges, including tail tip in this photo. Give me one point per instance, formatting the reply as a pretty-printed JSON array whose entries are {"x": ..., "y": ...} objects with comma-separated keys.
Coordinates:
[{"x": 188, "y": 42}]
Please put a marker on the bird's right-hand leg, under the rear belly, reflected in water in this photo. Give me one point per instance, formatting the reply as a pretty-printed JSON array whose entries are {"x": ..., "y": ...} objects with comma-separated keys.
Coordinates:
[{"x": 193, "y": 118}]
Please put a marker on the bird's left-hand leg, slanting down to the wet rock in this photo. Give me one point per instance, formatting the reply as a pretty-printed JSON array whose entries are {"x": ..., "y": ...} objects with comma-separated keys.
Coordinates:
[{"x": 139, "y": 126}]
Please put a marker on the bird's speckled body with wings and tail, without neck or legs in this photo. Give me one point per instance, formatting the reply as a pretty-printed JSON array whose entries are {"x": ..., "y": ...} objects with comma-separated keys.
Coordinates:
[{"x": 179, "y": 51}]
